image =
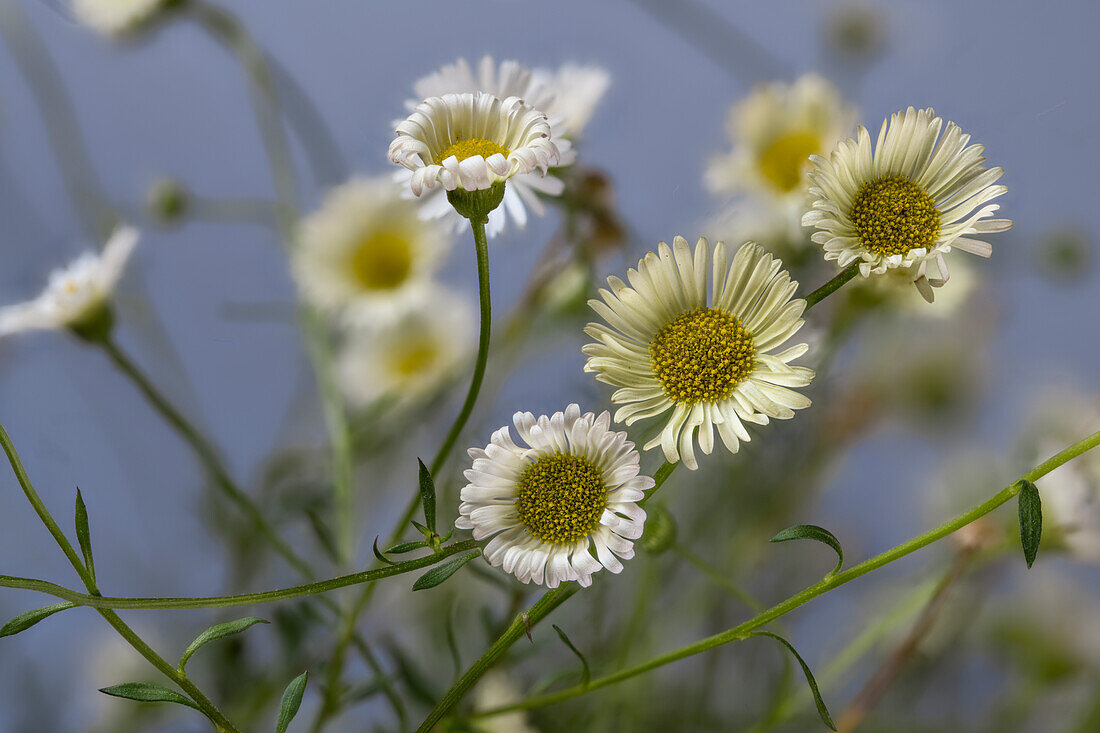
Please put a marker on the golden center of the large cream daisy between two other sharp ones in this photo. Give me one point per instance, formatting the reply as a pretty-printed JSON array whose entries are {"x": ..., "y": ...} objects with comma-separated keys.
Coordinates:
[{"x": 702, "y": 355}]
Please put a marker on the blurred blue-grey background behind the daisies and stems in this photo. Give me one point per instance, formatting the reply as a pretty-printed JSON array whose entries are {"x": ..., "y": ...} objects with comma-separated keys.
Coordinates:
[{"x": 1021, "y": 78}]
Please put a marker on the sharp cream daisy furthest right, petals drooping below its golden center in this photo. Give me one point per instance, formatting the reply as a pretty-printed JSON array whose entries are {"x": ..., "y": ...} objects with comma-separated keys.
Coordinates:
[{"x": 907, "y": 202}]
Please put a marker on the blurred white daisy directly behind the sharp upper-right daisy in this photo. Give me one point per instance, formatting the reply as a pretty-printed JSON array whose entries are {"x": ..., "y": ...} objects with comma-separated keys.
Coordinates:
[{"x": 775, "y": 132}]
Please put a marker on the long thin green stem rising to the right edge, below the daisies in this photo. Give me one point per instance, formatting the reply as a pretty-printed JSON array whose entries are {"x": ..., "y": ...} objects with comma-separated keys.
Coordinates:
[{"x": 743, "y": 631}]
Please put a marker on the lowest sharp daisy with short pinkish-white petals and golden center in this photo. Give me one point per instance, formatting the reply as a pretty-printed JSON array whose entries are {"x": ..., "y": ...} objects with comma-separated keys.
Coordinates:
[{"x": 571, "y": 487}]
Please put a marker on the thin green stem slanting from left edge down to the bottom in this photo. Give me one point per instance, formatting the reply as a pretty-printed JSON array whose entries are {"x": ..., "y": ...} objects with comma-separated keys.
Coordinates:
[{"x": 208, "y": 708}]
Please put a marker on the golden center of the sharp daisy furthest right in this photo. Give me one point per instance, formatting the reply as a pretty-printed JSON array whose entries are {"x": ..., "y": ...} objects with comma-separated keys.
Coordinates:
[{"x": 893, "y": 216}]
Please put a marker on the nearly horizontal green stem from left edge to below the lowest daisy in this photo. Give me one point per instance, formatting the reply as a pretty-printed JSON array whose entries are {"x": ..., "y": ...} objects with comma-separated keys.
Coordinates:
[{"x": 243, "y": 599}]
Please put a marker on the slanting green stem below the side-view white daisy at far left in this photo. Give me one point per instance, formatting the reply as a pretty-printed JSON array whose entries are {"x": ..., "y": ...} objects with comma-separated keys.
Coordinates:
[{"x": 206, "y": 455}]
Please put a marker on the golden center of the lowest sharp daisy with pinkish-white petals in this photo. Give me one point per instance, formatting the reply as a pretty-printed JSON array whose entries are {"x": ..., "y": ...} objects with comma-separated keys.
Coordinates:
[{"x": 562, "y": 498}]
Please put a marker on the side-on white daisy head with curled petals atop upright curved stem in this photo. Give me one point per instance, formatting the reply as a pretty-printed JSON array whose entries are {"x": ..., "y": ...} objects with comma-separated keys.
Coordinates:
[{"x": 472, "y": 141}]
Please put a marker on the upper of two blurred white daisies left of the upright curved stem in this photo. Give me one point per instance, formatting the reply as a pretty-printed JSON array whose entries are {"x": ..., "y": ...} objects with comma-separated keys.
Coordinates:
[{"x": 367, "y": 251}]
